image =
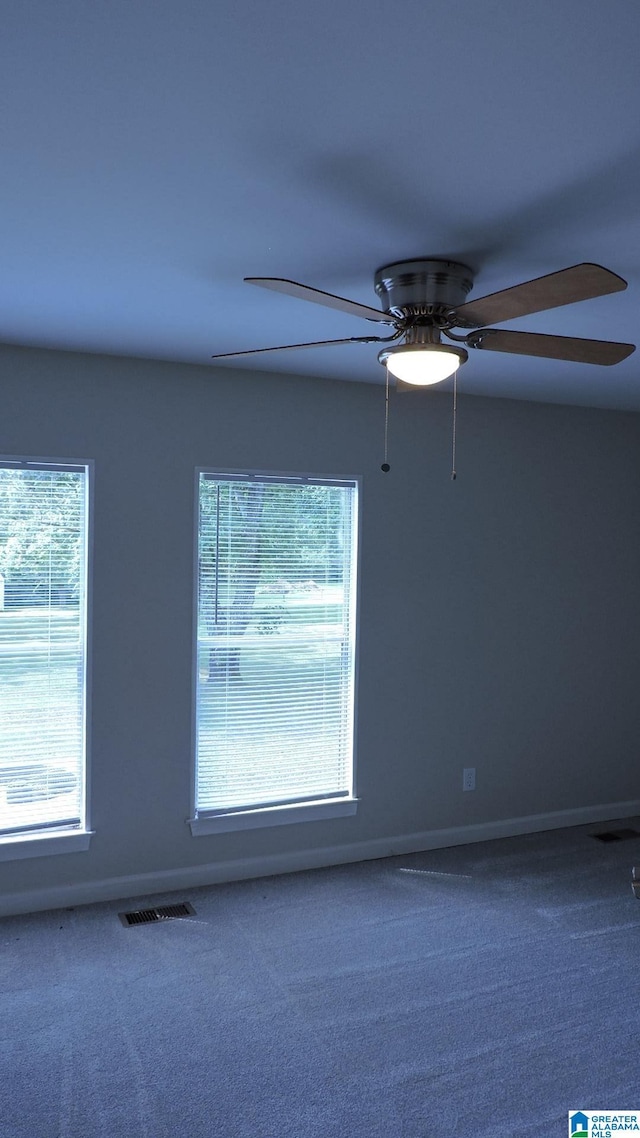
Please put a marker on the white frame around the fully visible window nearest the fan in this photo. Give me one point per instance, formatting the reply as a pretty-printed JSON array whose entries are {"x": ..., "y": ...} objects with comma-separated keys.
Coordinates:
[{"x": 259, "y": 818}]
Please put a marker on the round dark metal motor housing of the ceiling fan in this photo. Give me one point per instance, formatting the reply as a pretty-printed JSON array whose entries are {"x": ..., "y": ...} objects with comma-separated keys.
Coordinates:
[{"x": 423, "y": 288}]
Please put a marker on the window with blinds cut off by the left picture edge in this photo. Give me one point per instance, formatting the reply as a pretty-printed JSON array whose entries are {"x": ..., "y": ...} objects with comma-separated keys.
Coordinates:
[{"x": 43, "y": 649}]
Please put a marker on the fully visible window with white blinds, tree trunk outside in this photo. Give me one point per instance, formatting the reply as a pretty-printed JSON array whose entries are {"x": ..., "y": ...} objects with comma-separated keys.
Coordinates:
[{"x": 275, "y": 691}]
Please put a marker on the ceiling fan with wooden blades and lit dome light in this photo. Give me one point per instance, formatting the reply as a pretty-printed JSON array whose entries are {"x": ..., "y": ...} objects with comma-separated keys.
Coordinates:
[{"x": 425, "y": 300}]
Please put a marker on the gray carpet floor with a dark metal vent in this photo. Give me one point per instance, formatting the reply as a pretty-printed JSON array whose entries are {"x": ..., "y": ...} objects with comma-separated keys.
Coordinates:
[{"x": 479, "y": 991}]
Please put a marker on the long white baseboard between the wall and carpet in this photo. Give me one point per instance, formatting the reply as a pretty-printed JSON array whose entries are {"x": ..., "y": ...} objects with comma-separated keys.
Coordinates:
[{"x": 145, "y": 885}]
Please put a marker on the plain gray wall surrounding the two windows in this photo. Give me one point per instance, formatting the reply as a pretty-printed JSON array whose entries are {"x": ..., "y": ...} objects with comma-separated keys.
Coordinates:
[{"x": 499, "y": 614}]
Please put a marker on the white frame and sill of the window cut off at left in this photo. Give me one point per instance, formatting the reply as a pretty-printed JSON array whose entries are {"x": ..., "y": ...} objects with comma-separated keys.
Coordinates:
[{"x": 58, "y": 839}]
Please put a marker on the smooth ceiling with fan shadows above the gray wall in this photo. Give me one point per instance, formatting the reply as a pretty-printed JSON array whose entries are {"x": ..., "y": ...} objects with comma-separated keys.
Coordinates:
[{"x": 157, "y": 152}]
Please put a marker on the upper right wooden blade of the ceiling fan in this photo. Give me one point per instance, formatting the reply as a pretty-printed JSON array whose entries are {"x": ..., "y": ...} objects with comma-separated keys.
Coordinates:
[{"x": 580, "y": 283}]
